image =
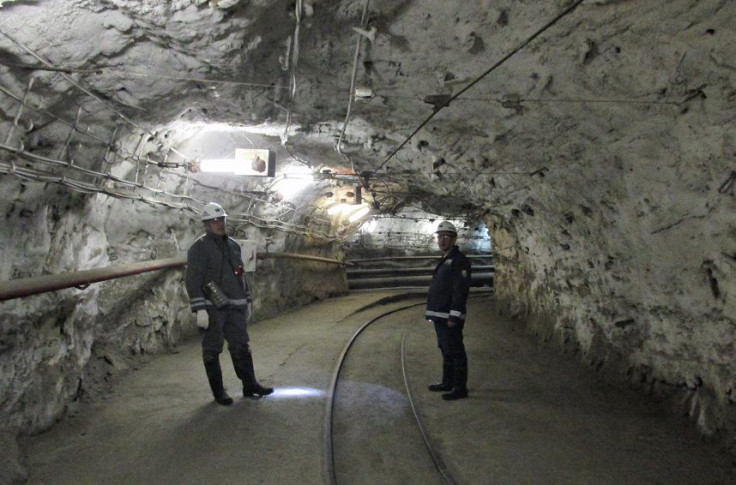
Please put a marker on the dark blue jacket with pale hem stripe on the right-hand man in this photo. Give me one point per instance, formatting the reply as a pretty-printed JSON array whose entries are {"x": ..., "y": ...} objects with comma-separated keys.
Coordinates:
[{"x": 449, "y": 288}]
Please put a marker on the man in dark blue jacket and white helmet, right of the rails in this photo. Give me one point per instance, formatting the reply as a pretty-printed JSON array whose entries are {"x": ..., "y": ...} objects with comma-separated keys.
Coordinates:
[{"x": 446, "y": 307}]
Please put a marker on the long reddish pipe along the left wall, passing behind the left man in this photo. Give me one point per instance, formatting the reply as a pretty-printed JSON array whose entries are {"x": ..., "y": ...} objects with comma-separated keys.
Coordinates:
[{"x": 23, "y": 287}]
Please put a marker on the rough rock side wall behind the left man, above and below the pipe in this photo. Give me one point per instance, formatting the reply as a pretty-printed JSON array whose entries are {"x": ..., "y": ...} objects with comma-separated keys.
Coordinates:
[{"x": 57, "y": 348}]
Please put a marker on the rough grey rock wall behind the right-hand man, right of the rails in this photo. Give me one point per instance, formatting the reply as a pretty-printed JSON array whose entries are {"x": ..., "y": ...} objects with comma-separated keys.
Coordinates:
[{"x": 643, "y": 300}]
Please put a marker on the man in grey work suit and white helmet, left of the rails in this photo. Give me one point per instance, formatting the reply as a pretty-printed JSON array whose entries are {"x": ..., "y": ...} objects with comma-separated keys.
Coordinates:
[{"x": 220, "y": 297}]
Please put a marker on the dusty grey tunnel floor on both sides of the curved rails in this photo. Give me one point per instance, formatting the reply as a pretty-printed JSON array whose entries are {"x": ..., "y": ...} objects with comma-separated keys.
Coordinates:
[{"x": 533, "y": 416}]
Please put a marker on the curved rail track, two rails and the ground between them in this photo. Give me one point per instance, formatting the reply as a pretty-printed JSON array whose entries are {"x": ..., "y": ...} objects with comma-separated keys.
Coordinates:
[{"x": 377, "y": 406}]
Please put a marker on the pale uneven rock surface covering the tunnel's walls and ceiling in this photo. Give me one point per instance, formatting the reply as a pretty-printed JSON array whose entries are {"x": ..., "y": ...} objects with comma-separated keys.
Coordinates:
[{"x": 601, "y": 156}]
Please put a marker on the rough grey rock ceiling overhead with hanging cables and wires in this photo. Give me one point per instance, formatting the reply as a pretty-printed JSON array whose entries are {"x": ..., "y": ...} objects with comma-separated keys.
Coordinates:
[{"x": 461, "y": 107}]
